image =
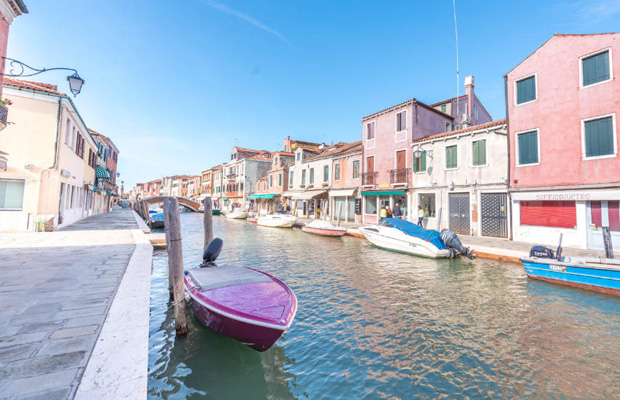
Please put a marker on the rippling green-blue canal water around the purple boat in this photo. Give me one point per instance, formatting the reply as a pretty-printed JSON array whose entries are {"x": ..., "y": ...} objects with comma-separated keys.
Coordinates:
[{"x": 373, "y": 324}]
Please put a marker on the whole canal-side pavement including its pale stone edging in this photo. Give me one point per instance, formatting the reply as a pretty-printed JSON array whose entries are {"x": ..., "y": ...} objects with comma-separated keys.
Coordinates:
[{"x": 74, "y": 322}]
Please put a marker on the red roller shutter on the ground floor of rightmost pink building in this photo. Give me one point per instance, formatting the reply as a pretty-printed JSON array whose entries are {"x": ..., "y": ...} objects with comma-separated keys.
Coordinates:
[{"x": 557, "y": 214}]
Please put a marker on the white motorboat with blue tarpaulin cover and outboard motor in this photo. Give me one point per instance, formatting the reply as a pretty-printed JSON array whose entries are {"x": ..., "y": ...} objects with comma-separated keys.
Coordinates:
[{"x": 406, "y": 237}]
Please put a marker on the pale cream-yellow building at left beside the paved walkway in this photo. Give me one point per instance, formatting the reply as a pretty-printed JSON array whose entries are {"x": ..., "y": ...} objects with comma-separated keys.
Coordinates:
[{"x": 49, "y": 162}]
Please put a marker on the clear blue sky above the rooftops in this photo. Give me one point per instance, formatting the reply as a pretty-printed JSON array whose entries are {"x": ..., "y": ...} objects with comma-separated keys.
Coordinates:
[{"x": 176, "y": 84}]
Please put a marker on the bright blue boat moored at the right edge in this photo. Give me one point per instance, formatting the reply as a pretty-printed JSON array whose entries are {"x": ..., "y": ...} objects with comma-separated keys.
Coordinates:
[{"x": 598, "y": 274}]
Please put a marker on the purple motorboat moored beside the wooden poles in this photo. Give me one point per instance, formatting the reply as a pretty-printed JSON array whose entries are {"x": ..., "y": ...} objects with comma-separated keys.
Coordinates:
[{"x": 243, "y": 303}]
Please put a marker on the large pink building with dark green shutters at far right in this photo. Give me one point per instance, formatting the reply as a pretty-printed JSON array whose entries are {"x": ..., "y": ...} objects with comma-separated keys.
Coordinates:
[{"x": 564, "y": 166}]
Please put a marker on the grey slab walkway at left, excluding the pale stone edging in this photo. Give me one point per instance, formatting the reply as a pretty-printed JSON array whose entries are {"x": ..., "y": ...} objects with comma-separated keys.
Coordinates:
[{"x": 56, "y": 290}]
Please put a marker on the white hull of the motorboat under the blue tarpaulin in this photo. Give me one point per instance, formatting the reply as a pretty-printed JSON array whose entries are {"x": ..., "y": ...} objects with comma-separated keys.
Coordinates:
[{"x": 395, "y": 240}]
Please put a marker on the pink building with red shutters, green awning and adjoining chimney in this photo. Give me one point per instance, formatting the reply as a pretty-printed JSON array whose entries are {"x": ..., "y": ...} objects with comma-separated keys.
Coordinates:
[{"x": 387, "y": 140}]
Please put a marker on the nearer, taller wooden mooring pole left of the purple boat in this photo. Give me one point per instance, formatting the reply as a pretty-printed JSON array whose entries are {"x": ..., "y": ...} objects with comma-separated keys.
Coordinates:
[{"x": 172, "y": 221}]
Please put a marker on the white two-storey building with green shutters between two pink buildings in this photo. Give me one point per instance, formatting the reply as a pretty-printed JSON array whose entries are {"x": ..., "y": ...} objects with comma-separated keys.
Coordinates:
[{"x": 460, "y": 180}]
